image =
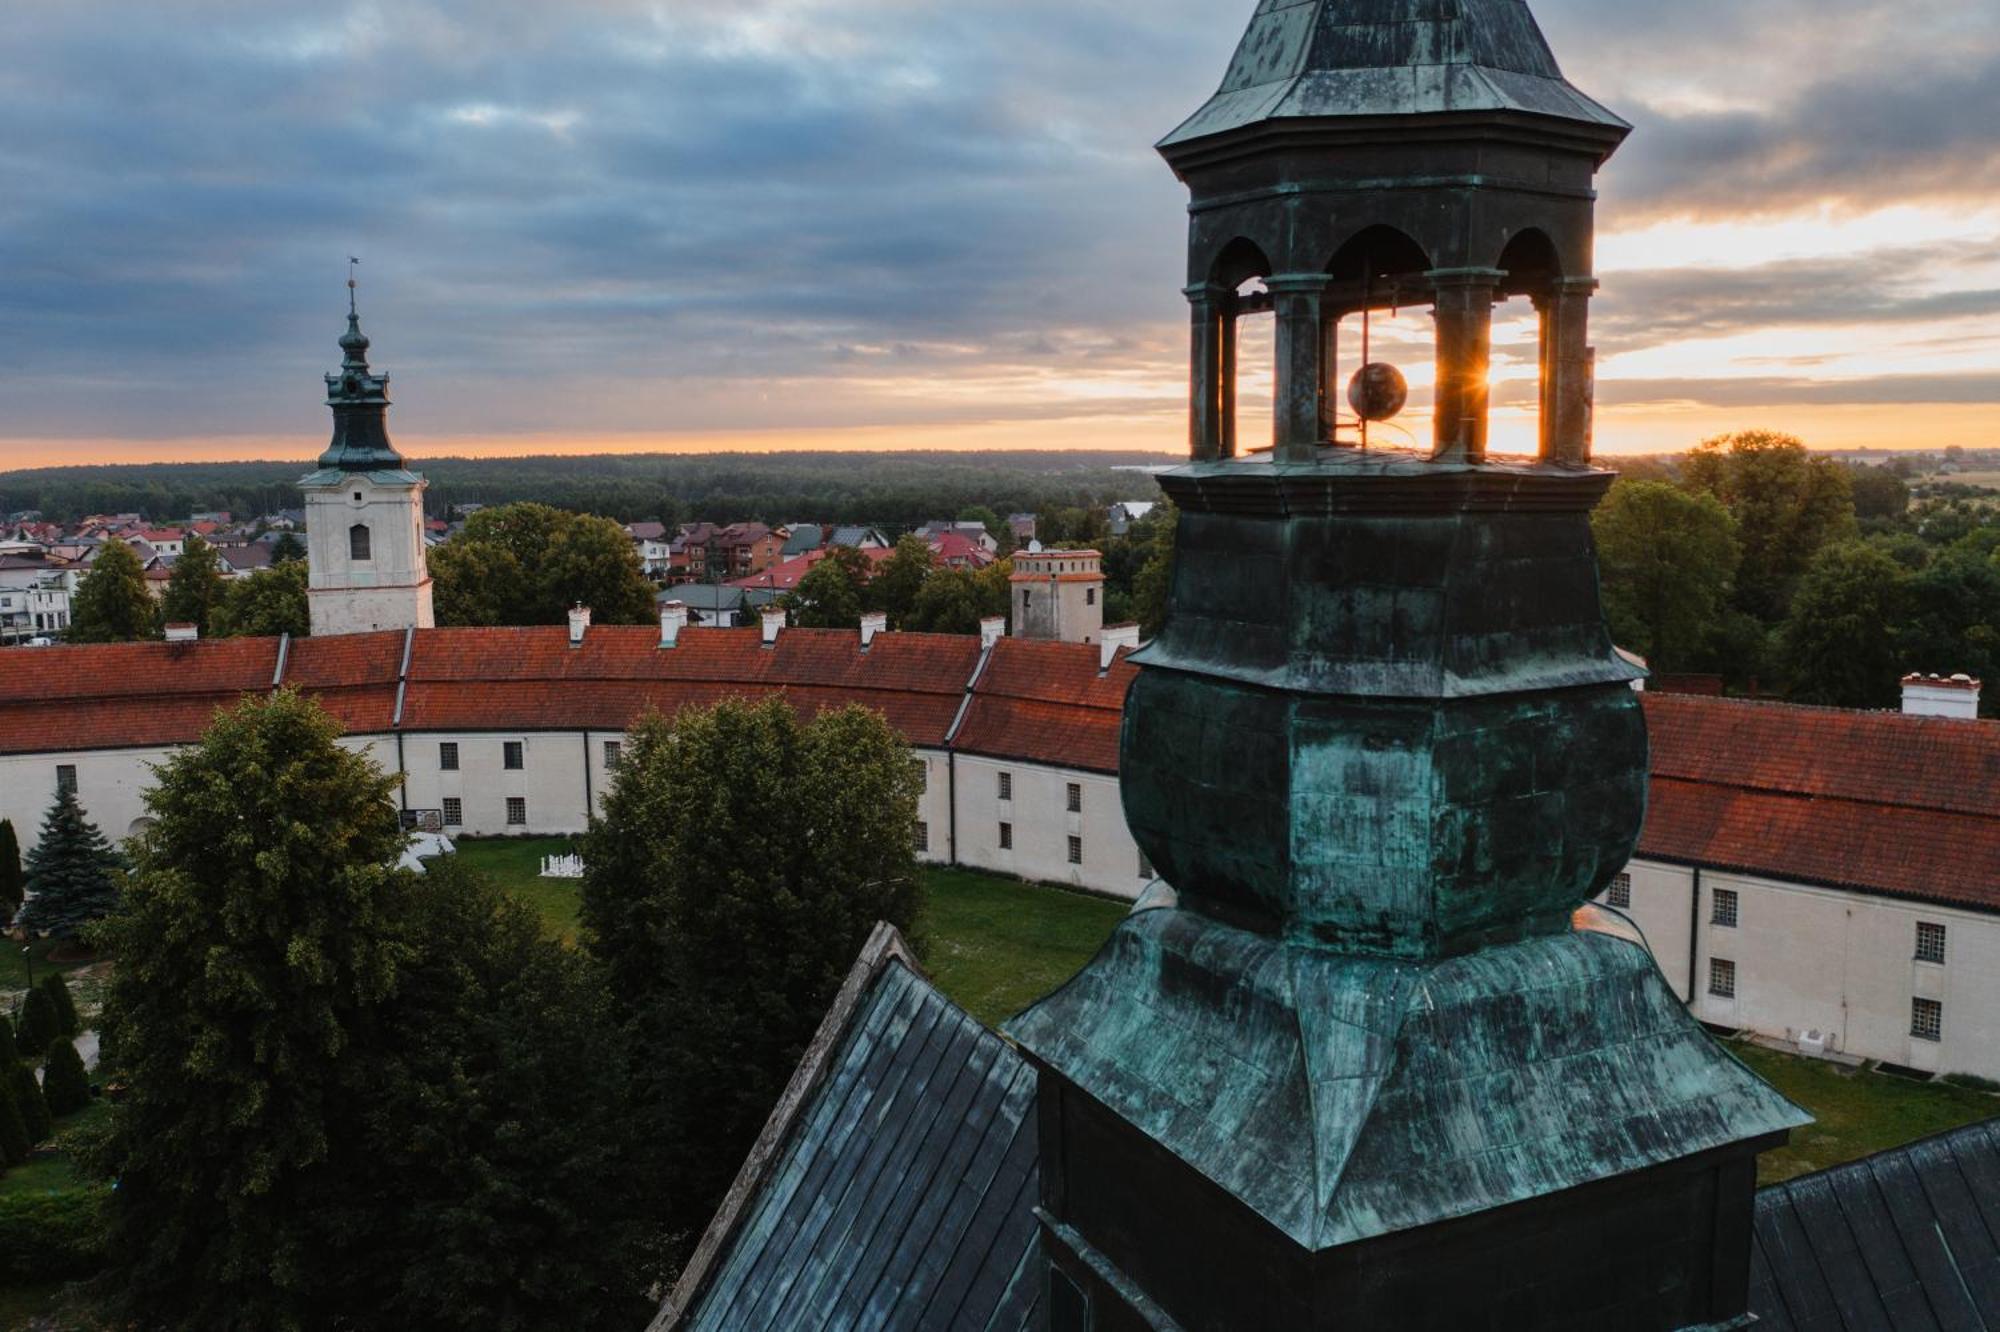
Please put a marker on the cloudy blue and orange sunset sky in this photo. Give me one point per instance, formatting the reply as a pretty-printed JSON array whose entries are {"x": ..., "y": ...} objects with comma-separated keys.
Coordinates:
[{"x": 897, "y": 223}]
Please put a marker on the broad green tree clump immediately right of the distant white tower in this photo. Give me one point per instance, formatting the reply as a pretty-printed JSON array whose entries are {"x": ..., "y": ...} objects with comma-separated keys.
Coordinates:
[{"x": 531, "y": 565}]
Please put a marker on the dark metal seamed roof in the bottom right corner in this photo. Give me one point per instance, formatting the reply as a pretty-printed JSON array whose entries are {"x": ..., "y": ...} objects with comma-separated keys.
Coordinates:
[{"x": 1907, "y": 1241}]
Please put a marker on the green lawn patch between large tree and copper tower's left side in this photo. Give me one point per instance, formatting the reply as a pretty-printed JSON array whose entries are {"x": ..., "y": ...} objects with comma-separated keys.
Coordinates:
[{"x": 997, "y": 945}]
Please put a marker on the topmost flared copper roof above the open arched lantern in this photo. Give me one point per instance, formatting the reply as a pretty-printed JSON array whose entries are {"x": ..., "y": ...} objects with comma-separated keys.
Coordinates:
[{"x": 1323, "y": 59}]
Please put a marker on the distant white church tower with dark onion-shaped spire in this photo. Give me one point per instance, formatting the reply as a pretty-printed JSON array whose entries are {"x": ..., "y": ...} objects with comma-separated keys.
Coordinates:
[{"x": 365, "y": 511}]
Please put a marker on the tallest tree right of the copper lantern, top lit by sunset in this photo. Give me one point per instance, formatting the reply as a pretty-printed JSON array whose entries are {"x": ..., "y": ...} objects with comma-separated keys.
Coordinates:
[{"x": 1787, "y": 505}]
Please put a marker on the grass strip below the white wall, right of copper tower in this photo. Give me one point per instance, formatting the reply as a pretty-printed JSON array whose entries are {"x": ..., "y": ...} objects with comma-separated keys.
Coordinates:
[{"x": 1859, "y": 1111}]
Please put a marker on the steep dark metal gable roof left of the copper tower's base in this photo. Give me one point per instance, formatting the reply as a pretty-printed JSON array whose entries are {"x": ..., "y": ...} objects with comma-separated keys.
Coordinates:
[{"x": 895, "y": 1185}]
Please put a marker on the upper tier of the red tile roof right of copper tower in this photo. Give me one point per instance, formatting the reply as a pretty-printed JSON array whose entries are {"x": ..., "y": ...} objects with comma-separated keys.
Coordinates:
[{"x": 1827, "y": 753}]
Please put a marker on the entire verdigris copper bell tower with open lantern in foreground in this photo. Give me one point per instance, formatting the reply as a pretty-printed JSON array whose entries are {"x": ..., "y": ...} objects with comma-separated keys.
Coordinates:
[{"x": 1351, "y": 1065}]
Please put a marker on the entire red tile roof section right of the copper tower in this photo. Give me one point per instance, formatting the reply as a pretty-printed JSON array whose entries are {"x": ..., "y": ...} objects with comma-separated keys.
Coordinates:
[{"x": 1873, "y": 801}]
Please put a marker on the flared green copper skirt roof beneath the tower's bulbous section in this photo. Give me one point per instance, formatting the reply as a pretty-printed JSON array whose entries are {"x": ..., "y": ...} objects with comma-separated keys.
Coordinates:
[{"x": 1345, "y": 1099}]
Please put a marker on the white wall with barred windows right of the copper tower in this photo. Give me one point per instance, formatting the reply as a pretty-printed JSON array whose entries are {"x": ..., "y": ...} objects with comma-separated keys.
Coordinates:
[{"x": 1829, "y": 961}]
